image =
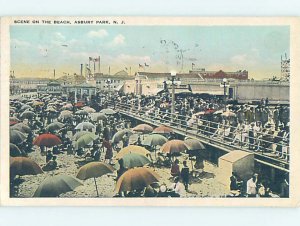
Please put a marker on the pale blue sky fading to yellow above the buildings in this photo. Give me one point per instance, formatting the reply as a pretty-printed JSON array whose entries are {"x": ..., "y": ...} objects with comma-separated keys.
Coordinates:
[{"x": 37, "y": 50}]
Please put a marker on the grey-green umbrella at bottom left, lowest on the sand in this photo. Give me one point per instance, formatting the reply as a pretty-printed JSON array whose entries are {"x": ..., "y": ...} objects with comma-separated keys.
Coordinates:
[{"x": 53, "y": 186}]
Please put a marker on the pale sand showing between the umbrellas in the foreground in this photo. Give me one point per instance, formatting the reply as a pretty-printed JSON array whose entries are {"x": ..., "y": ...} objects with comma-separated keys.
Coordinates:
[{"x": 206, "y": 185}]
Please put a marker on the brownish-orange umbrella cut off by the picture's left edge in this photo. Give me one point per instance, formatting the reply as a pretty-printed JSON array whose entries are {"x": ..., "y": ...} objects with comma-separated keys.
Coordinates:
[{"x": 24, "y": 166}]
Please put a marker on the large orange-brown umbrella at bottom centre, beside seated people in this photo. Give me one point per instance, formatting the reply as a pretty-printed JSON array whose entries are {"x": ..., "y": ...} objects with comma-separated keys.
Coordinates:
[{"x": 136, "y": 179}]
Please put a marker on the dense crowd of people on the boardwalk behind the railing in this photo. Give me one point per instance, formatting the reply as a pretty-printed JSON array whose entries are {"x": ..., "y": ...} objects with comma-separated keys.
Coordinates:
[{"x": 261, "y": 127}]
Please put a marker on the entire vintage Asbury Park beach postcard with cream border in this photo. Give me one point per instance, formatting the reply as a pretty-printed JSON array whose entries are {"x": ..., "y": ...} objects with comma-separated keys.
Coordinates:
[{"x": 150, "y": 111}]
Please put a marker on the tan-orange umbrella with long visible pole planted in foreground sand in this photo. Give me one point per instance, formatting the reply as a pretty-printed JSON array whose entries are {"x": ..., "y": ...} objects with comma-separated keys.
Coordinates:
[{"x": 93, "y": 170}]
